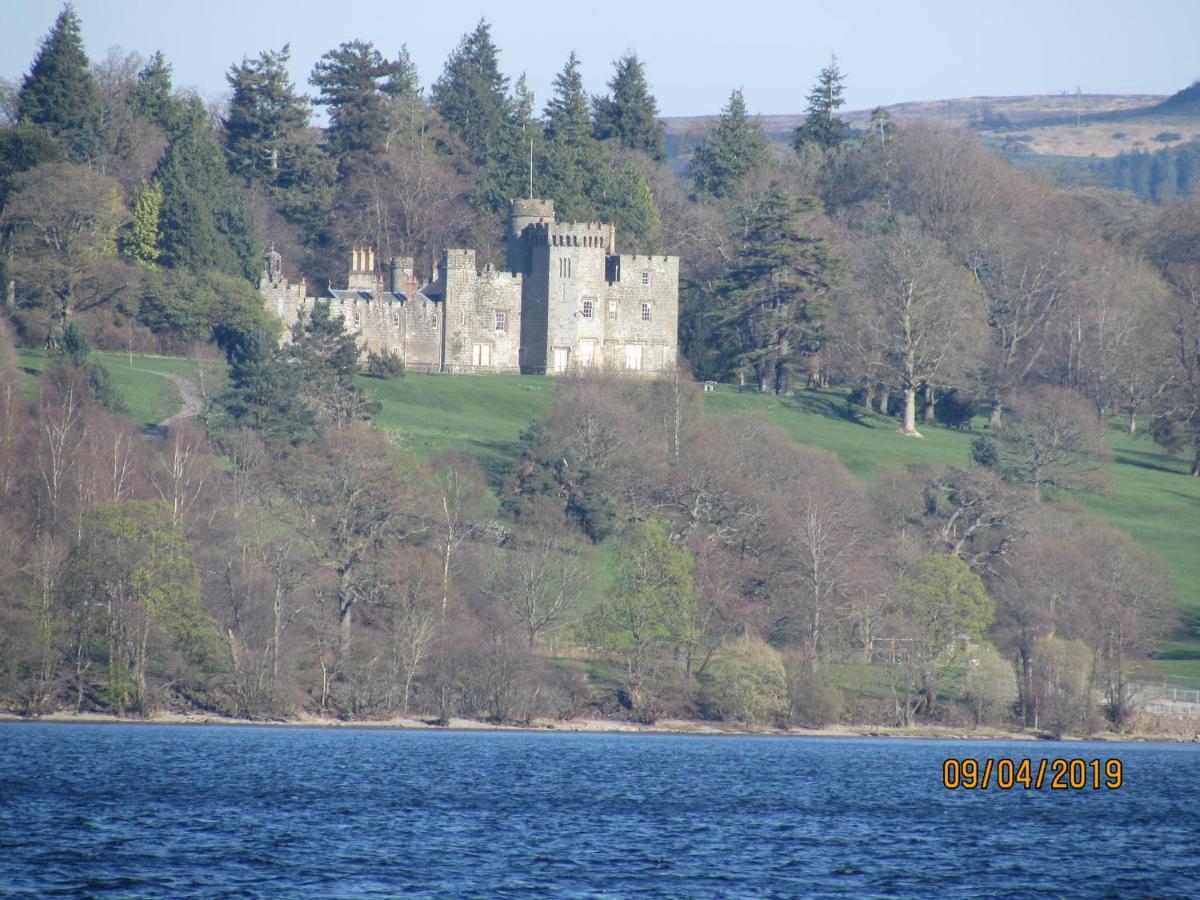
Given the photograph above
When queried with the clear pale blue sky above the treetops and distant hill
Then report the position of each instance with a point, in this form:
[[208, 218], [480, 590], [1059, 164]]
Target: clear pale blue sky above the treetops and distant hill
[[695, 53]]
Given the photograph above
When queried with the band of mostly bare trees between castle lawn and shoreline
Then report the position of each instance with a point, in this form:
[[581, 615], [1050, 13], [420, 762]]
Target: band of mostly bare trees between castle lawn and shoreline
[[645, 561]]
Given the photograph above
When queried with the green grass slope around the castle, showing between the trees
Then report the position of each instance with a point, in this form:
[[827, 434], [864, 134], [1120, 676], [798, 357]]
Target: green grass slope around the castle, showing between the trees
[[1154, 501]]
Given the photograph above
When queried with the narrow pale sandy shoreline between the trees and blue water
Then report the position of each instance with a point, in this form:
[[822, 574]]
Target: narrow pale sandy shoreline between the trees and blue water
[[599, 727]]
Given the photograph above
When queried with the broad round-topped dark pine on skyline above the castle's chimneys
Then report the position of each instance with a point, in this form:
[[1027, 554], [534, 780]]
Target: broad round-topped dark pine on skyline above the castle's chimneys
[[355, 83]]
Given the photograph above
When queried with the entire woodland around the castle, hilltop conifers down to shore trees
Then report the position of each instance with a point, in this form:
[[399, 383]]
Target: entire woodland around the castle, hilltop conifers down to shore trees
[[643, 560]]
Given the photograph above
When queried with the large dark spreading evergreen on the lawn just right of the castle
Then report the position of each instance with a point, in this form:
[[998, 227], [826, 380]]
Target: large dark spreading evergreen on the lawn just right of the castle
[[775, 301]]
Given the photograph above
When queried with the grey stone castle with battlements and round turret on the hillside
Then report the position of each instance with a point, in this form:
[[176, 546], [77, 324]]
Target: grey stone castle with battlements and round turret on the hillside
[[566, 301]]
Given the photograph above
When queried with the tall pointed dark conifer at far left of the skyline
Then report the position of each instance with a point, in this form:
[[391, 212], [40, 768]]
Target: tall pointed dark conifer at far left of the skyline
[[59, 95]]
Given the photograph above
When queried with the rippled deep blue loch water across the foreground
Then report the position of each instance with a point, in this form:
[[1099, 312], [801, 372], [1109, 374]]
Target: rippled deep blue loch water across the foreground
[[147, 811]]
